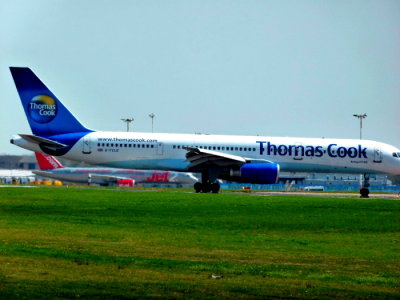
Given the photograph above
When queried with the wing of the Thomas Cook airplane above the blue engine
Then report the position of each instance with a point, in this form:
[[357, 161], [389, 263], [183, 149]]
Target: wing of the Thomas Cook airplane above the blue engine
[[200, 158]]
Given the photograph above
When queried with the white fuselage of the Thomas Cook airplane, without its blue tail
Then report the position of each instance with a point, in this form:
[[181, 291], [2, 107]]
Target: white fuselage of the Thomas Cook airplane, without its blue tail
[[163, 151]]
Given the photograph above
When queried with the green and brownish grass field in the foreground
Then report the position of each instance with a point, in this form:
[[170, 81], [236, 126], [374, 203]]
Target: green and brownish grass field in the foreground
[[99, 243]]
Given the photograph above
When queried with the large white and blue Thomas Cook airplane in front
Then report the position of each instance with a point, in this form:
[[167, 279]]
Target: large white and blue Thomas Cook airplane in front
[[249, 159]]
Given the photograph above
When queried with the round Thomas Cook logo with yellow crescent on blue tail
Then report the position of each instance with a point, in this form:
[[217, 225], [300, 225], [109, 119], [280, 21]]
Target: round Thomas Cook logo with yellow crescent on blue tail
[[42, 108]]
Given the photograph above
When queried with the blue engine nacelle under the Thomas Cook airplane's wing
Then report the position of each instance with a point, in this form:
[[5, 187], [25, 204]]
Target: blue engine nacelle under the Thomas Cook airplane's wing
[[264, 173]]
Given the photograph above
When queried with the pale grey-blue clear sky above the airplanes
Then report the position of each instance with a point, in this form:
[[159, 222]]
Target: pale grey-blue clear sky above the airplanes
[[271, 68]]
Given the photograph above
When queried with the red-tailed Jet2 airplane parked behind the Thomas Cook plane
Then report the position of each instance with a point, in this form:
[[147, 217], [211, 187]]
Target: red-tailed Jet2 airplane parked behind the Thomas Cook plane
[[50, 167]]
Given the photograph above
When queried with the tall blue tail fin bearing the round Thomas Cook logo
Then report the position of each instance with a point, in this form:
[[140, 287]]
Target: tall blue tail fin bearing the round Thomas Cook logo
[[46, 114]]
